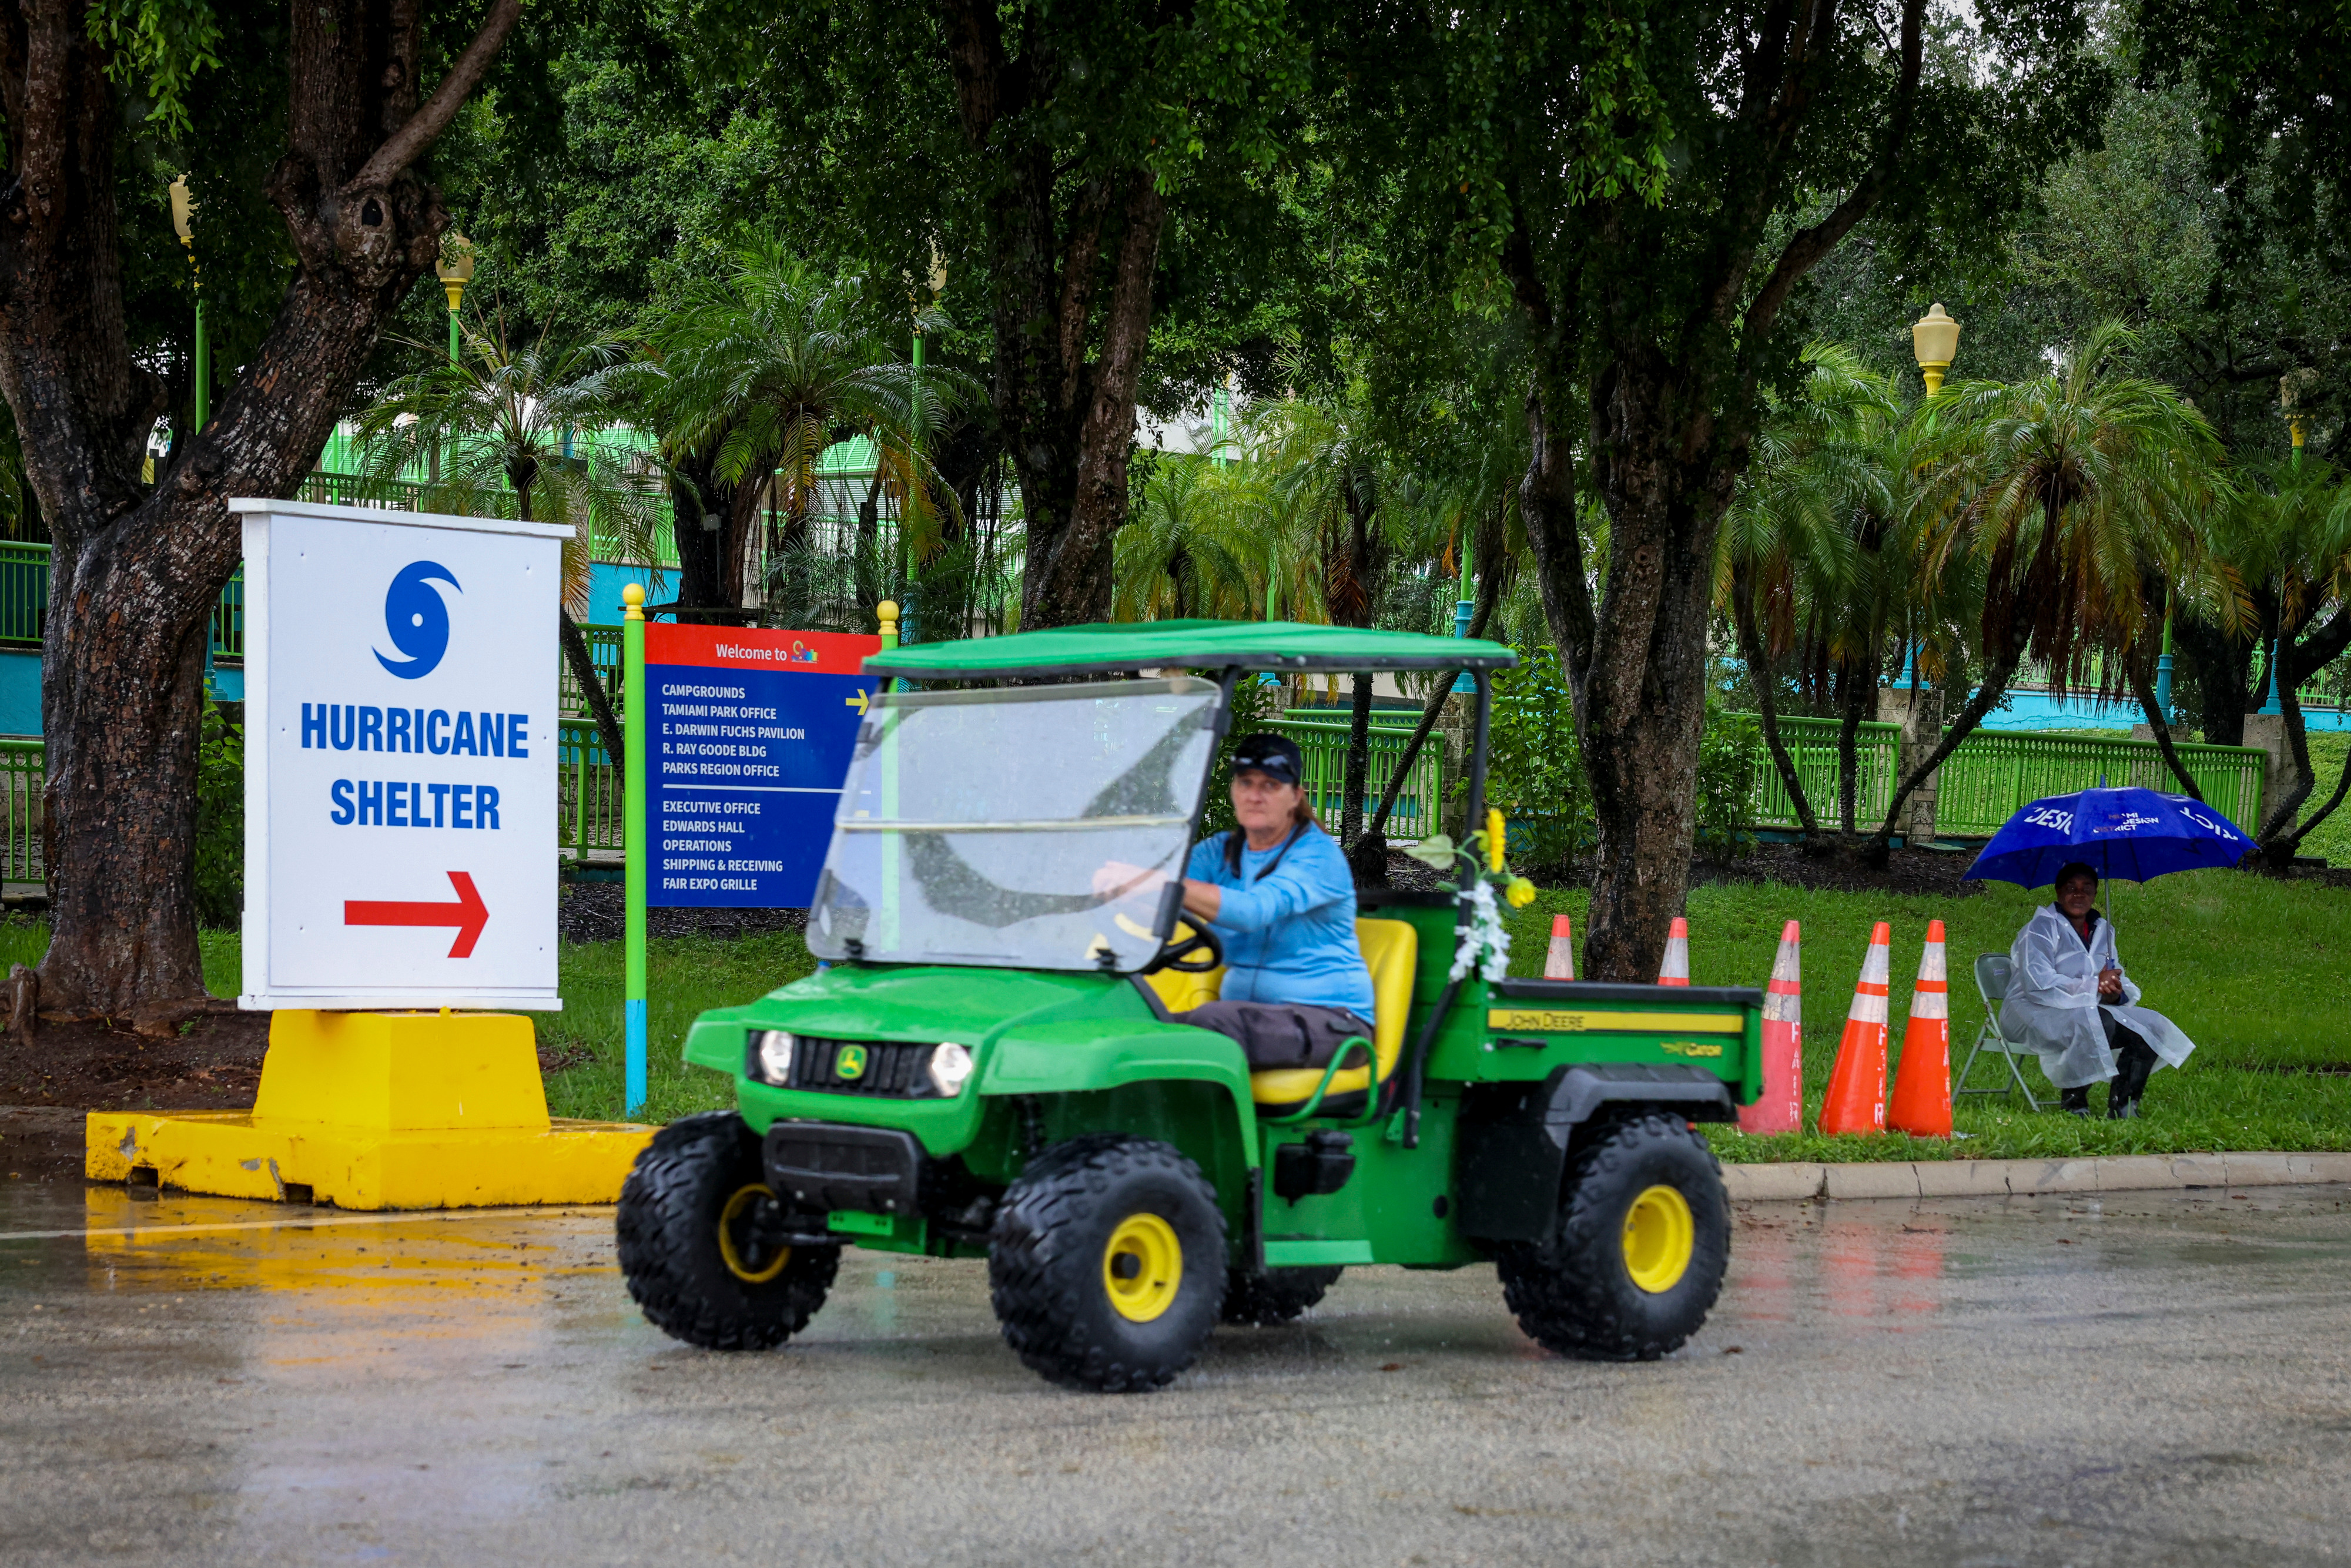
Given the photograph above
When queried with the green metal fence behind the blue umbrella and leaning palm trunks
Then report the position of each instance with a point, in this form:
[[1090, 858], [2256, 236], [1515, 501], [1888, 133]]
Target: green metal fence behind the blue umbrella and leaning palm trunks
[[1995, 772]]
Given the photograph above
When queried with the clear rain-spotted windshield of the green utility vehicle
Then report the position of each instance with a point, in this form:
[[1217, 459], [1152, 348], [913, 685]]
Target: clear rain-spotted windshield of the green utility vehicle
[[974, 824]]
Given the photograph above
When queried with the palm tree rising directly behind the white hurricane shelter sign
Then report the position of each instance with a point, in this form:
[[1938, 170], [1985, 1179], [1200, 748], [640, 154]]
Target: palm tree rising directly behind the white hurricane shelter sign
[[530, 431]]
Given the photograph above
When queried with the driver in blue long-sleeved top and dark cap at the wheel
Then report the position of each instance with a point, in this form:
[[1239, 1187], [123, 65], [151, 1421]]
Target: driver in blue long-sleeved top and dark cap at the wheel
[[1282, 902]]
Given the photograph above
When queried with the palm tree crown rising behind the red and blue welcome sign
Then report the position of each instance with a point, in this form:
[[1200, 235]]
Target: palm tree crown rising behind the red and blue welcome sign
[[768, 368]]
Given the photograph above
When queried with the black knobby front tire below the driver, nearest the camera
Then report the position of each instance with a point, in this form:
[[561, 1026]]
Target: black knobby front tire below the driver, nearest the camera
[[1052, 1245]]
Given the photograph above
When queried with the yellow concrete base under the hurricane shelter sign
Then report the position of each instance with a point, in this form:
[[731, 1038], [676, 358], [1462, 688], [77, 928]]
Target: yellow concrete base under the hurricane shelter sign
[[382, 1111]]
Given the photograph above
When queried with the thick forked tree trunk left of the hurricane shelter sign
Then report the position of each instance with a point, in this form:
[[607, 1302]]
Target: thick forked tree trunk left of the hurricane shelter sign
[[135, 572]]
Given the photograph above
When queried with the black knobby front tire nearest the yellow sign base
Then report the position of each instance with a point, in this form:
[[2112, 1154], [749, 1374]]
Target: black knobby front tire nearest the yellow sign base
[[671, 1252]]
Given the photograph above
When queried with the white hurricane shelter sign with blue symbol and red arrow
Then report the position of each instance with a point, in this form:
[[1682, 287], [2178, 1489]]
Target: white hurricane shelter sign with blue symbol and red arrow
[[401, 758]]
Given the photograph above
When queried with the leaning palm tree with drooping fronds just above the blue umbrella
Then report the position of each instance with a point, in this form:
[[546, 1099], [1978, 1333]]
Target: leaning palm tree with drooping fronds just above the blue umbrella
[[2063, 490]]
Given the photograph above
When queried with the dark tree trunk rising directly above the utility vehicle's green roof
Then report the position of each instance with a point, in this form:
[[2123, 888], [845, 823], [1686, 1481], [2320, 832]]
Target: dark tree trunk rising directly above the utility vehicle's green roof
[[1071, 307]]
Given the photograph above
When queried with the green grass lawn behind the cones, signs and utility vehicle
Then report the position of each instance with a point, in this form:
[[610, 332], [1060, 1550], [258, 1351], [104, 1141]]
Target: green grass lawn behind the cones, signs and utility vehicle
[[2249, 967]]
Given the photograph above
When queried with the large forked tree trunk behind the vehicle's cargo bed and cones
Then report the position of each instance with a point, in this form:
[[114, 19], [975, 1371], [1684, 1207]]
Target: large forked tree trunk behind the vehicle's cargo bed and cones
[[1673, 422]]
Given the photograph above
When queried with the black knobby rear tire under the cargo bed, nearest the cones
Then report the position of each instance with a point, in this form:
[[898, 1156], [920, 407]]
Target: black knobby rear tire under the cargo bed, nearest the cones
[[1574, 1292]]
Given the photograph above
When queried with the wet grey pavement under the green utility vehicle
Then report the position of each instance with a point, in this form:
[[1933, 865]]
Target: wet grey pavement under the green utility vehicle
[[2155, 1379]]
